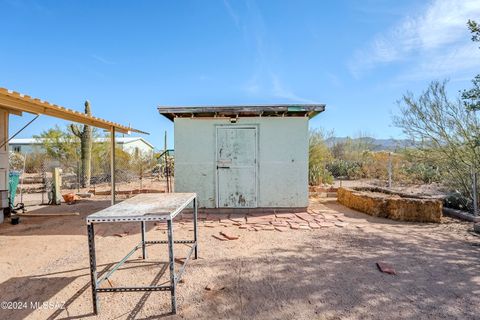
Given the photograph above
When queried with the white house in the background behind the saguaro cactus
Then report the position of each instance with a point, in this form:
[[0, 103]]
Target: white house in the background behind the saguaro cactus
[[127, 144]]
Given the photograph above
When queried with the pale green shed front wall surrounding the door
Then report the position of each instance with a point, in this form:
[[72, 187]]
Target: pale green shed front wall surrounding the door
[[282, 172]]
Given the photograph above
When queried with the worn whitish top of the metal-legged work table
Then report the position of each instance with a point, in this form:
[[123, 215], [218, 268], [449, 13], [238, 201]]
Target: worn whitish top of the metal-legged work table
[[144, 207]]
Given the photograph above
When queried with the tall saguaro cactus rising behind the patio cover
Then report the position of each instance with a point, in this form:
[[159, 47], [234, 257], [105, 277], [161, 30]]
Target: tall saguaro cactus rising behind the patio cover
[[85, 136]]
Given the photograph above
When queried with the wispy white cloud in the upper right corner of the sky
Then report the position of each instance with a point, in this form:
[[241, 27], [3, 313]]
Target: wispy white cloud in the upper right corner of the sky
[[434, 41]]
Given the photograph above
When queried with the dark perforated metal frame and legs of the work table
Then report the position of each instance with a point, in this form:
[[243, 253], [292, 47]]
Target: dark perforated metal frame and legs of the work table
[[174, 277]]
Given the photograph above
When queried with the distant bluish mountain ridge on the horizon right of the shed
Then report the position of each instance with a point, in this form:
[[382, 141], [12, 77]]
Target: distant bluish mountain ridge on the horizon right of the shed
[[372, 143]]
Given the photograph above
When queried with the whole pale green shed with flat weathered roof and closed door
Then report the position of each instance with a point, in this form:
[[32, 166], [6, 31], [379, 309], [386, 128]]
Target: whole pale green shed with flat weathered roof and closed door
[[243, 156]]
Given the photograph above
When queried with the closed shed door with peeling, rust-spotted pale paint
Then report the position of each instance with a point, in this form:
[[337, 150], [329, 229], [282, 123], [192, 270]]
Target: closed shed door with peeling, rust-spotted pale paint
[[236, 167]]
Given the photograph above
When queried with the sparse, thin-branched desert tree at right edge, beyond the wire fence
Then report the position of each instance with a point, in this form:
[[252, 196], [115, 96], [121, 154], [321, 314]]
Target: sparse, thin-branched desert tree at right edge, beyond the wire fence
[[446, 133]]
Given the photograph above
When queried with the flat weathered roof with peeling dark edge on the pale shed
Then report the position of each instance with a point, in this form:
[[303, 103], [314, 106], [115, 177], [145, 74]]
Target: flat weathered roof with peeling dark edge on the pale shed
[[282, 110]]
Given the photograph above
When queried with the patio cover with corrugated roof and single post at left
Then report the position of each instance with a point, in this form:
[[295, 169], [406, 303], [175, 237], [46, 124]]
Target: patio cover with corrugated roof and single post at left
[[16, 103]]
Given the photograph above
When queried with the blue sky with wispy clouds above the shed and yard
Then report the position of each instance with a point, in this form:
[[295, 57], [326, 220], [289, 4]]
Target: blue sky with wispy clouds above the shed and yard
[[357, 57]]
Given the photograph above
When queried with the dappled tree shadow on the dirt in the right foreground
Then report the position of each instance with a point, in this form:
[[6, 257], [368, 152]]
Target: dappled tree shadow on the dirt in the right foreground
[[435, 279]]
